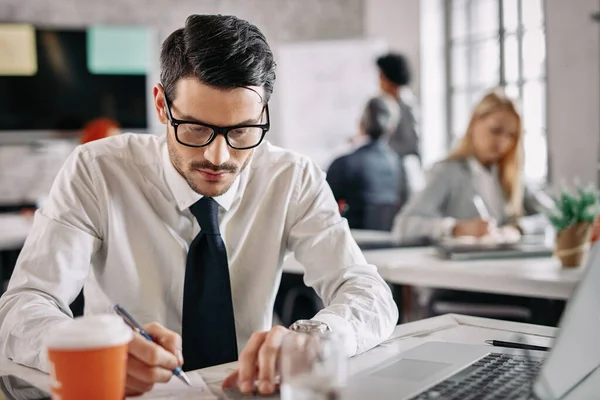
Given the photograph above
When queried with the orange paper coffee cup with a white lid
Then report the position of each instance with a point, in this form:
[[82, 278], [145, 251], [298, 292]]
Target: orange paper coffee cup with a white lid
[[88, 358]]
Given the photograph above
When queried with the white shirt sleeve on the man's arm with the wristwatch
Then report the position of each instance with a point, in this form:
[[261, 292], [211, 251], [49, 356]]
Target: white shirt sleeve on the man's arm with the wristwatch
[[359, 303]]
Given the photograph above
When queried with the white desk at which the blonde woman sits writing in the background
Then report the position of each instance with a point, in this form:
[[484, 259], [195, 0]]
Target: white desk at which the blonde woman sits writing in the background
[[530, 277]]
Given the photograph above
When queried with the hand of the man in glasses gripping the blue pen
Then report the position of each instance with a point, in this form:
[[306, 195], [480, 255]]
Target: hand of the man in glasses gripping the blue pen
[[148, 363]]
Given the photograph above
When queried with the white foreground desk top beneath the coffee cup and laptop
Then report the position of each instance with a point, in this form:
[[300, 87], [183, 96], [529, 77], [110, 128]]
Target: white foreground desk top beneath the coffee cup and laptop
[[449, 328]]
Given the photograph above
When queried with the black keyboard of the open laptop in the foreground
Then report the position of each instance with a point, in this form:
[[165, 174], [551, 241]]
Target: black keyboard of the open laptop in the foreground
[[494, 377]]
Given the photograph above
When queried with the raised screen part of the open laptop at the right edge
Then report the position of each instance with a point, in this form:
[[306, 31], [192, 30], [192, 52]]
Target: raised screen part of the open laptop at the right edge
[[576, 351]]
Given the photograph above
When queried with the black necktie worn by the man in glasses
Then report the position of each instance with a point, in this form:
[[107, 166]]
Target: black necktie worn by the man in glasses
[[208, 329]]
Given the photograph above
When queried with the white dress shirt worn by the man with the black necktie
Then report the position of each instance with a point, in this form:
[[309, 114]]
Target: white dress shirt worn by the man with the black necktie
[[118, 219]]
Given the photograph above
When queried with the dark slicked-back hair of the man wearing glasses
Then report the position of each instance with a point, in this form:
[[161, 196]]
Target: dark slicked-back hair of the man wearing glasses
[[219, 50]]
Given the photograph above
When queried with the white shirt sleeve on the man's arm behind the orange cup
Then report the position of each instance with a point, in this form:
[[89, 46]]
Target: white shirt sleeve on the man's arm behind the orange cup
[[52, 265]]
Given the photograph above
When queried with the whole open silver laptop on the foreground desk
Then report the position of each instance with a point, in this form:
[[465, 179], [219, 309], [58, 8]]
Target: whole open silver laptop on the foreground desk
[[441, 370]]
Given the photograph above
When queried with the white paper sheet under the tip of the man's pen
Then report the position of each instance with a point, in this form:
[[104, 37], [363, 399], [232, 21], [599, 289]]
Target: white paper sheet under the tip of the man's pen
[[177, 390]]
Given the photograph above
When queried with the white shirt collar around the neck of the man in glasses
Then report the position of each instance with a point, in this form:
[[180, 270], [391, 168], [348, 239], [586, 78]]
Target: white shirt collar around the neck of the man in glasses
[[183, 193]]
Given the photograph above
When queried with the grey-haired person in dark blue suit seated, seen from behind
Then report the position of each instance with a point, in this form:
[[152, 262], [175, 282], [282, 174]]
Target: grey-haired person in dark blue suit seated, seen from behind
[[370, 182]]
